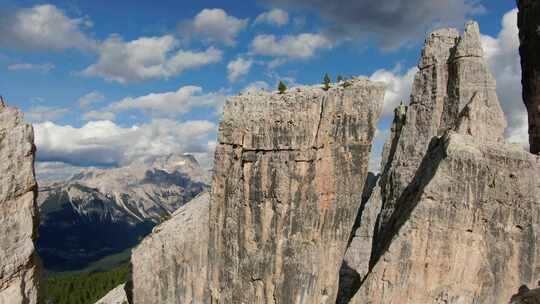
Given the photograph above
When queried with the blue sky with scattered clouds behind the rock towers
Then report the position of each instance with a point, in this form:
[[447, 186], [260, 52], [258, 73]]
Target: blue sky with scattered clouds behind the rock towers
[[107, 82]]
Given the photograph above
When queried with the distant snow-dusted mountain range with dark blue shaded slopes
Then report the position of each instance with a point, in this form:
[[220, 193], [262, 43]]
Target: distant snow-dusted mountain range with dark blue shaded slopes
[[99, 212]]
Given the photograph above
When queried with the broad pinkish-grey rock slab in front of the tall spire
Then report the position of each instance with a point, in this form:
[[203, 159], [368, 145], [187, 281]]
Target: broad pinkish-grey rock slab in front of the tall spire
[[465, 230]]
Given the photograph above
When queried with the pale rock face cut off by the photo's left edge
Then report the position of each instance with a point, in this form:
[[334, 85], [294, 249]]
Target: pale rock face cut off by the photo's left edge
[[19, 264]]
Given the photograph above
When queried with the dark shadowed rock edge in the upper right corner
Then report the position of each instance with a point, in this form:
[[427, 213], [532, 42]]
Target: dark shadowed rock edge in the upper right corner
[[529, 36]]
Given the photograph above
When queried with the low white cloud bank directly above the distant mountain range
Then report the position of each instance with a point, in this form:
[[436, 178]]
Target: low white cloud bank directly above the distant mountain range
[[104, 143]]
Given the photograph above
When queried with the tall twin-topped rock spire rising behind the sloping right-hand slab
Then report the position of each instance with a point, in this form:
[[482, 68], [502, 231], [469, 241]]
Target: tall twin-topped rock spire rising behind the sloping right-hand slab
[[453, 90]]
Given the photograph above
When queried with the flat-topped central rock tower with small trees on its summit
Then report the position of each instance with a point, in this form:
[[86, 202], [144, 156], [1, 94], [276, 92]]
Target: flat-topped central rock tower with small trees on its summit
[[289, 173]]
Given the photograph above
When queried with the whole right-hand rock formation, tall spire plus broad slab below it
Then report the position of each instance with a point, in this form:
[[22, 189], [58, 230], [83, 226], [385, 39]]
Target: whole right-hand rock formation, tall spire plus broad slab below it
[[457, 207]]
